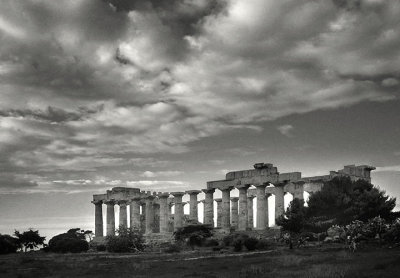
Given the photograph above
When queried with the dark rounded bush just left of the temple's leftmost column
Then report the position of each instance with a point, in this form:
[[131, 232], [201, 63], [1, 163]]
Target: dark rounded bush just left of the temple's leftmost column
[[72, 241]]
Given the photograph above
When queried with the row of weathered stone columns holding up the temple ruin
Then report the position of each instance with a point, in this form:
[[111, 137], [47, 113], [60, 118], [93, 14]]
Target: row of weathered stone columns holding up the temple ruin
[[241, 210]]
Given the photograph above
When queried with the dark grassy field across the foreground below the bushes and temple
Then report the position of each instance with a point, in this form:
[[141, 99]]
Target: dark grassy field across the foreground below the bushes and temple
[[312, 262]]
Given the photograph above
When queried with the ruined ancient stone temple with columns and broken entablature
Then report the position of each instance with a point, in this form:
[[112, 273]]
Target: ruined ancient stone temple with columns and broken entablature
[[151, 211]]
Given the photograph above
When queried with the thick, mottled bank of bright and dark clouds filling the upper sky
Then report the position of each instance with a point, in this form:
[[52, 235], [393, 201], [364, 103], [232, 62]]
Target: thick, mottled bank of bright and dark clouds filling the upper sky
[[90, 87]]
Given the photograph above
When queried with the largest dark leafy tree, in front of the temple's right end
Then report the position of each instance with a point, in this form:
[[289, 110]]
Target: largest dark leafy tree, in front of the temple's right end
[[344, 201]]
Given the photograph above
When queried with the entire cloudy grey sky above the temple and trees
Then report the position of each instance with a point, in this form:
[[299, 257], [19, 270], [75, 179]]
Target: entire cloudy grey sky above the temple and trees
[[165, 95]]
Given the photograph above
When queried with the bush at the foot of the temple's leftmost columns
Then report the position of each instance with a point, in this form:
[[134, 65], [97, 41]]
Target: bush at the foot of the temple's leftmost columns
[[126, 240]]
